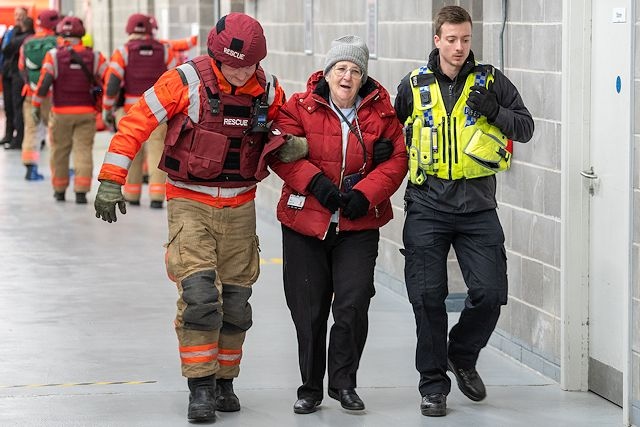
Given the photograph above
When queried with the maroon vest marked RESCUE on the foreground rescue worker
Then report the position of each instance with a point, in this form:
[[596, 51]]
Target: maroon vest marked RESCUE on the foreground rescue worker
[[219, 150]]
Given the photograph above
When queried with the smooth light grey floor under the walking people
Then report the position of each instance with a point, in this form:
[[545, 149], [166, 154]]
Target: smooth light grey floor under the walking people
[[87, 337]]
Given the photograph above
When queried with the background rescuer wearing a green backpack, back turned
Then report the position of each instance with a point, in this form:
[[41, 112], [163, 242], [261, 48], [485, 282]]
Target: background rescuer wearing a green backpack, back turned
[[32, 54]]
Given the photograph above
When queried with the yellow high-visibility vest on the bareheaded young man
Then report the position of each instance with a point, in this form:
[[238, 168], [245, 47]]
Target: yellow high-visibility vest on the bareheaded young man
[[452, 146]]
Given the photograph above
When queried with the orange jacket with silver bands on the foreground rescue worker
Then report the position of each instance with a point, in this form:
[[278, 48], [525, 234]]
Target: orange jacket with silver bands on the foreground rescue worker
[[169, 96]]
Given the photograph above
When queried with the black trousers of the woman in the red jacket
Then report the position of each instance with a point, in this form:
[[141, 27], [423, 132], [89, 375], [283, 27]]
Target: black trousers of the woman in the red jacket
[[339, 268]]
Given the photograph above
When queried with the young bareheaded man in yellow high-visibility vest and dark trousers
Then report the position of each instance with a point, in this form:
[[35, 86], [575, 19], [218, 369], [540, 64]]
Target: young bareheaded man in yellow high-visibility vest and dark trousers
[[460, 118]]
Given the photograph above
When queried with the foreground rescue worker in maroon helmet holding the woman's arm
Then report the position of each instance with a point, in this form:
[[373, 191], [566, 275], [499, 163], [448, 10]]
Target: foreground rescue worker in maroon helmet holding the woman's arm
[[216, 108]]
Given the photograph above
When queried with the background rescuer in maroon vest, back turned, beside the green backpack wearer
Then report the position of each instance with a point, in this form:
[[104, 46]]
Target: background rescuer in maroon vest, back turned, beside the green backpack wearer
[[76, 73]]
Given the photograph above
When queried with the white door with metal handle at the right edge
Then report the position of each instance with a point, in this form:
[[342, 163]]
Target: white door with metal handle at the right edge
[[609, 182]]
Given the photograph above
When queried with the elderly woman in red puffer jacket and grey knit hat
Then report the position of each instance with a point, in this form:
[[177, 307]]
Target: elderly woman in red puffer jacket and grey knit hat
[[332, 205]]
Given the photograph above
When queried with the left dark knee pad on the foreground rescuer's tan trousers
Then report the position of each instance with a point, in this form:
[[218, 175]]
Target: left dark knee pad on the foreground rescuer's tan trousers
[[203, 311]]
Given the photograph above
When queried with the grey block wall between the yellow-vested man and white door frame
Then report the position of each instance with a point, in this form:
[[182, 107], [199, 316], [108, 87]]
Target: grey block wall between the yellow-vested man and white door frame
[[529, 194]]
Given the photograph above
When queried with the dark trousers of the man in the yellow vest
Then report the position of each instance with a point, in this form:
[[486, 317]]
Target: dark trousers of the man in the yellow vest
[[478, 241]]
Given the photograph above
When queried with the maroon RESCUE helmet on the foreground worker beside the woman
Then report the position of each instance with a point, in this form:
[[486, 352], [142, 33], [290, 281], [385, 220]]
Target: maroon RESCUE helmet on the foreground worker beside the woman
[[237, 40]]
